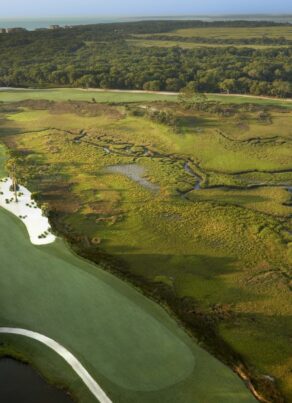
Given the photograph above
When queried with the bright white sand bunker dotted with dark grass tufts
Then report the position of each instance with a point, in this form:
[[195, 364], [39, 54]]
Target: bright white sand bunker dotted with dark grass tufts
[[27, 211]]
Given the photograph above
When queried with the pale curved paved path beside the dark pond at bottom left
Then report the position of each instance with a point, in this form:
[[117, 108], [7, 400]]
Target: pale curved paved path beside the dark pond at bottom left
[[94, 388]]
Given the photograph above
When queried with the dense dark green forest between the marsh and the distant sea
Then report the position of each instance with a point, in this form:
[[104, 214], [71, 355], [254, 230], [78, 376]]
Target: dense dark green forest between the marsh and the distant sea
[[100, 56]]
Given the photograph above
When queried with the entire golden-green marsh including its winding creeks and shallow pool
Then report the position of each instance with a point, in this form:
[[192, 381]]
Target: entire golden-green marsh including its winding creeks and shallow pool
[[219, 257]]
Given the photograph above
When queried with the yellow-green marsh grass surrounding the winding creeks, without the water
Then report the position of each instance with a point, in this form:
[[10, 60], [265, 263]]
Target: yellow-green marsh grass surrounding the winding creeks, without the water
[[226, 250]]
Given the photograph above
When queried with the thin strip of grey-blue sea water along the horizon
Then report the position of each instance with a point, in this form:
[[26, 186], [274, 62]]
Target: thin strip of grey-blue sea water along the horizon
[[33, 23]]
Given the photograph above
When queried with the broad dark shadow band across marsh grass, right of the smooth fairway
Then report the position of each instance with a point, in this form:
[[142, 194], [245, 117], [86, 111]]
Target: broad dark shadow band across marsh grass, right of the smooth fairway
[[193, 276]]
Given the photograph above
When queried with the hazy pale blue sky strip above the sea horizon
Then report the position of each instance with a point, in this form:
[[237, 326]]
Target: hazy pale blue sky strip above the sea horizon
[[47, 8]]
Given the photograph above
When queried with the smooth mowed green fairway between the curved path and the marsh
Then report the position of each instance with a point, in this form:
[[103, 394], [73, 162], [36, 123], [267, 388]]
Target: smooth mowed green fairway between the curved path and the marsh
[[132, 348]]
